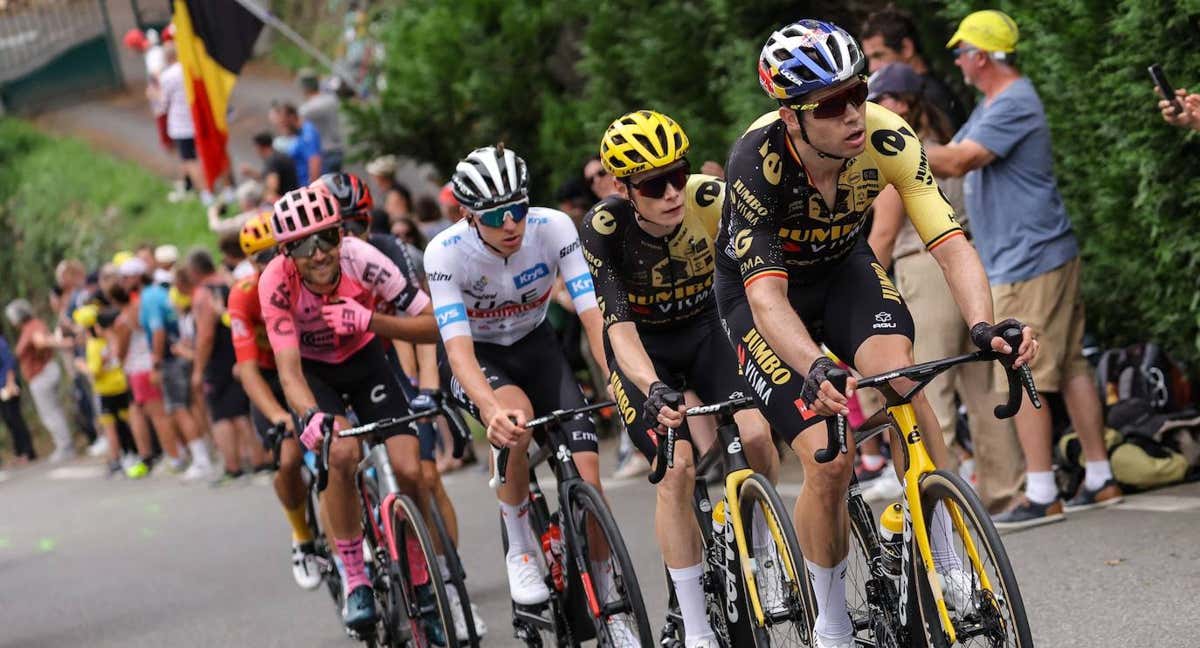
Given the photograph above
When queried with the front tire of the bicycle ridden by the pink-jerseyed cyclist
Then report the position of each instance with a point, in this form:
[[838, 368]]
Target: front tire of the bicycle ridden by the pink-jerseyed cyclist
[[406, 520]]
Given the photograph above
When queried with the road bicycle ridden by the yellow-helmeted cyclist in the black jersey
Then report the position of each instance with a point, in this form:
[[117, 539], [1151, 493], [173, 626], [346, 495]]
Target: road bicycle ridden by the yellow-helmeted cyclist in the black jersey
[[753, 599]]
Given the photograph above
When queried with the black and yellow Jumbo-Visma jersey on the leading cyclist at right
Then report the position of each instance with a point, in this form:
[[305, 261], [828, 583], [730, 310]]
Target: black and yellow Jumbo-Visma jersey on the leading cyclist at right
[[777, 224]]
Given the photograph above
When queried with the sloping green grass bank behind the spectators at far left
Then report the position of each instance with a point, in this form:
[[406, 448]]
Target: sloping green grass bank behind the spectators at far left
[[61, 199]]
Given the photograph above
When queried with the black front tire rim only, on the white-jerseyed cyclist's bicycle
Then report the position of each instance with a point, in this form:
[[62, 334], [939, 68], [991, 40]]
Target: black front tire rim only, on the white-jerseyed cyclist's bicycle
[[587, 501]]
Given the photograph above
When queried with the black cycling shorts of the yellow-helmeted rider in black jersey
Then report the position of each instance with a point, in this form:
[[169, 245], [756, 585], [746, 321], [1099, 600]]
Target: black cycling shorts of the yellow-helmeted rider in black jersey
[[695, 357]]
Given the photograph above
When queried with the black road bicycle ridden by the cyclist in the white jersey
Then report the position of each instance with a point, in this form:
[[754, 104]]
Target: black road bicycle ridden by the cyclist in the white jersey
[[587, 568]]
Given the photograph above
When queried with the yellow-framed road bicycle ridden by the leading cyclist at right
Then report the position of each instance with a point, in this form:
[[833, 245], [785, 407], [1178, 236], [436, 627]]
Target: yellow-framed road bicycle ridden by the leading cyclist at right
[[896, 593]]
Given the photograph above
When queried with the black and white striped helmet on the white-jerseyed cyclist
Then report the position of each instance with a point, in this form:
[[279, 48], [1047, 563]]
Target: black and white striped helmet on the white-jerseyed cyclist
[[490, 177]]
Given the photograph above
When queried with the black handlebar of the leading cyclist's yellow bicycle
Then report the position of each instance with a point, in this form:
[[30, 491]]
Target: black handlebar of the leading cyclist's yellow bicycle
[[1019, 380]]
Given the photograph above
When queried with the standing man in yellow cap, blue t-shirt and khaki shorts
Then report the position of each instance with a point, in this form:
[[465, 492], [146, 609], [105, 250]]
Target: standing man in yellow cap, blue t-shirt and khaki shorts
[[1030, 254]]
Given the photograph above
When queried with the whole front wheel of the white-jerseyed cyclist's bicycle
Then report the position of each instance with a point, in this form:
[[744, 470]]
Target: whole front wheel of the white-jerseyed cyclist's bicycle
[[610, 584]]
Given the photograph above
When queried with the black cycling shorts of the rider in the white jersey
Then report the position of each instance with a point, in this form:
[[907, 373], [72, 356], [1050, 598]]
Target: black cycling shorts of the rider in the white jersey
[[537, 365]]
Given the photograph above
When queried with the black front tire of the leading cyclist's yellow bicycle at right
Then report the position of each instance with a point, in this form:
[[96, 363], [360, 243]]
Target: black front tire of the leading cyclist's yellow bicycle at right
[[939, 487]]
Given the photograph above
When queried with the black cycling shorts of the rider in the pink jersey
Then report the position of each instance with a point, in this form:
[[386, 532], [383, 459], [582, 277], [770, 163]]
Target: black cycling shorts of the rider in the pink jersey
[[364, 382]]
